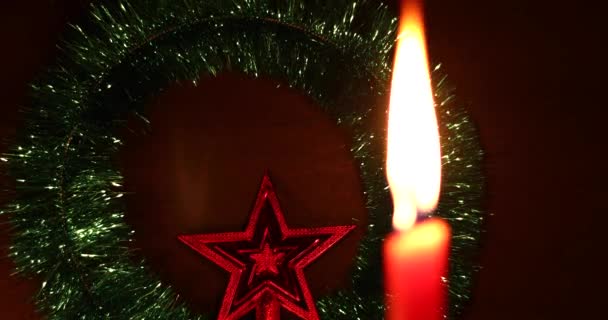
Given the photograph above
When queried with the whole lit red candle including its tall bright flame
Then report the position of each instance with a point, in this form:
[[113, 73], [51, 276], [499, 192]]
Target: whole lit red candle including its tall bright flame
[[415, 255]]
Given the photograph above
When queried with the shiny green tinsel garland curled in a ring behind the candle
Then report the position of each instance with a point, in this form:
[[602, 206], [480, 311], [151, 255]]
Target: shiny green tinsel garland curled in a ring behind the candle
[[68, 215]]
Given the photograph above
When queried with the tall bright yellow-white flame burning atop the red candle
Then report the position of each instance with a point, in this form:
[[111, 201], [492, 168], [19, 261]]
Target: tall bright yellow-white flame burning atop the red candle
[[413, 156]]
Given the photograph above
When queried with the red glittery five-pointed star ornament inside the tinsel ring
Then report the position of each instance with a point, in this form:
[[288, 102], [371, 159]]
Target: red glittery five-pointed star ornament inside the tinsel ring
[[266, 261]]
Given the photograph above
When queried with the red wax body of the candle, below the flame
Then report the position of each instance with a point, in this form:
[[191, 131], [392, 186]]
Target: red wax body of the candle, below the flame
[[415, 263]]
